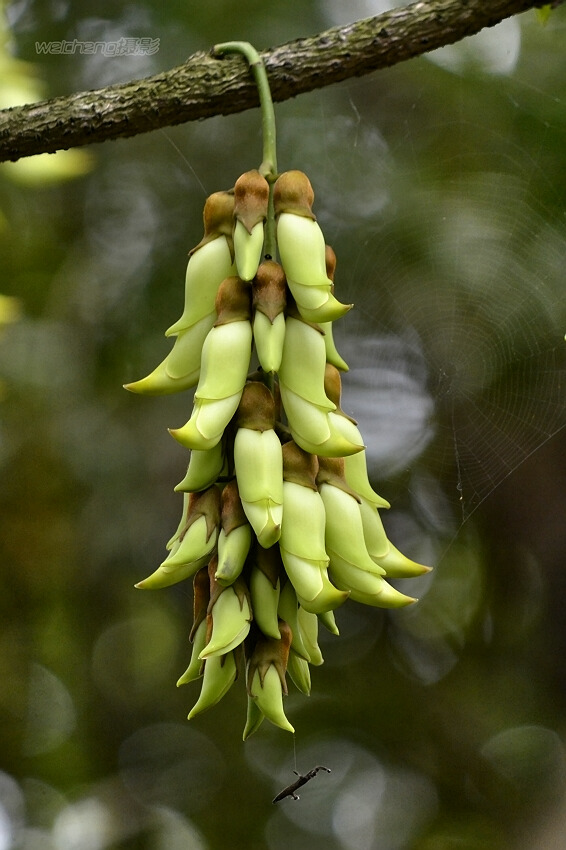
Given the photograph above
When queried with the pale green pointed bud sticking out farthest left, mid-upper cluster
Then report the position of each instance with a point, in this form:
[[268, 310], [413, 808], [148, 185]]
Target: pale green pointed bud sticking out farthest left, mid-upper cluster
[[181, 368]]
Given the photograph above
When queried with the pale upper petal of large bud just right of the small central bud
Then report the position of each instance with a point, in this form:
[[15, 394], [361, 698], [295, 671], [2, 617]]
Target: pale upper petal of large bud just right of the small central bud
[[303, 363]]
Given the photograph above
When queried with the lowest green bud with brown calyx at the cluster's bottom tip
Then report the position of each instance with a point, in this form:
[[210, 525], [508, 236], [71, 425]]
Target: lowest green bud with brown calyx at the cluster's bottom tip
[[266, 676]]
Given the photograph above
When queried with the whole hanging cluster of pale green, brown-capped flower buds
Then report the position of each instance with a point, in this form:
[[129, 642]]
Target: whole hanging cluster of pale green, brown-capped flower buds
[[280, 524]]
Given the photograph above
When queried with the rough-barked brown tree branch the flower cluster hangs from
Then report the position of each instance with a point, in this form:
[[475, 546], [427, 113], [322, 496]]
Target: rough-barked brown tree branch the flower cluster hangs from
[[205, 86]]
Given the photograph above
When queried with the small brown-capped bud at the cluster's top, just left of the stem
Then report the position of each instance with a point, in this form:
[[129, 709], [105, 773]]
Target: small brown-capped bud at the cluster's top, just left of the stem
[[251, 197]]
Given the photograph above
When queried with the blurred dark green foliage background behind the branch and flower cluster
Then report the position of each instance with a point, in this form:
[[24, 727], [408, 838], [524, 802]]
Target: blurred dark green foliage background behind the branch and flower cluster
[[441, 185]]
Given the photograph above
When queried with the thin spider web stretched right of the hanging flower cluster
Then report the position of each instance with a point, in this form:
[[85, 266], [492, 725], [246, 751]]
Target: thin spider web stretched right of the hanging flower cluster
[[456, 344]]
